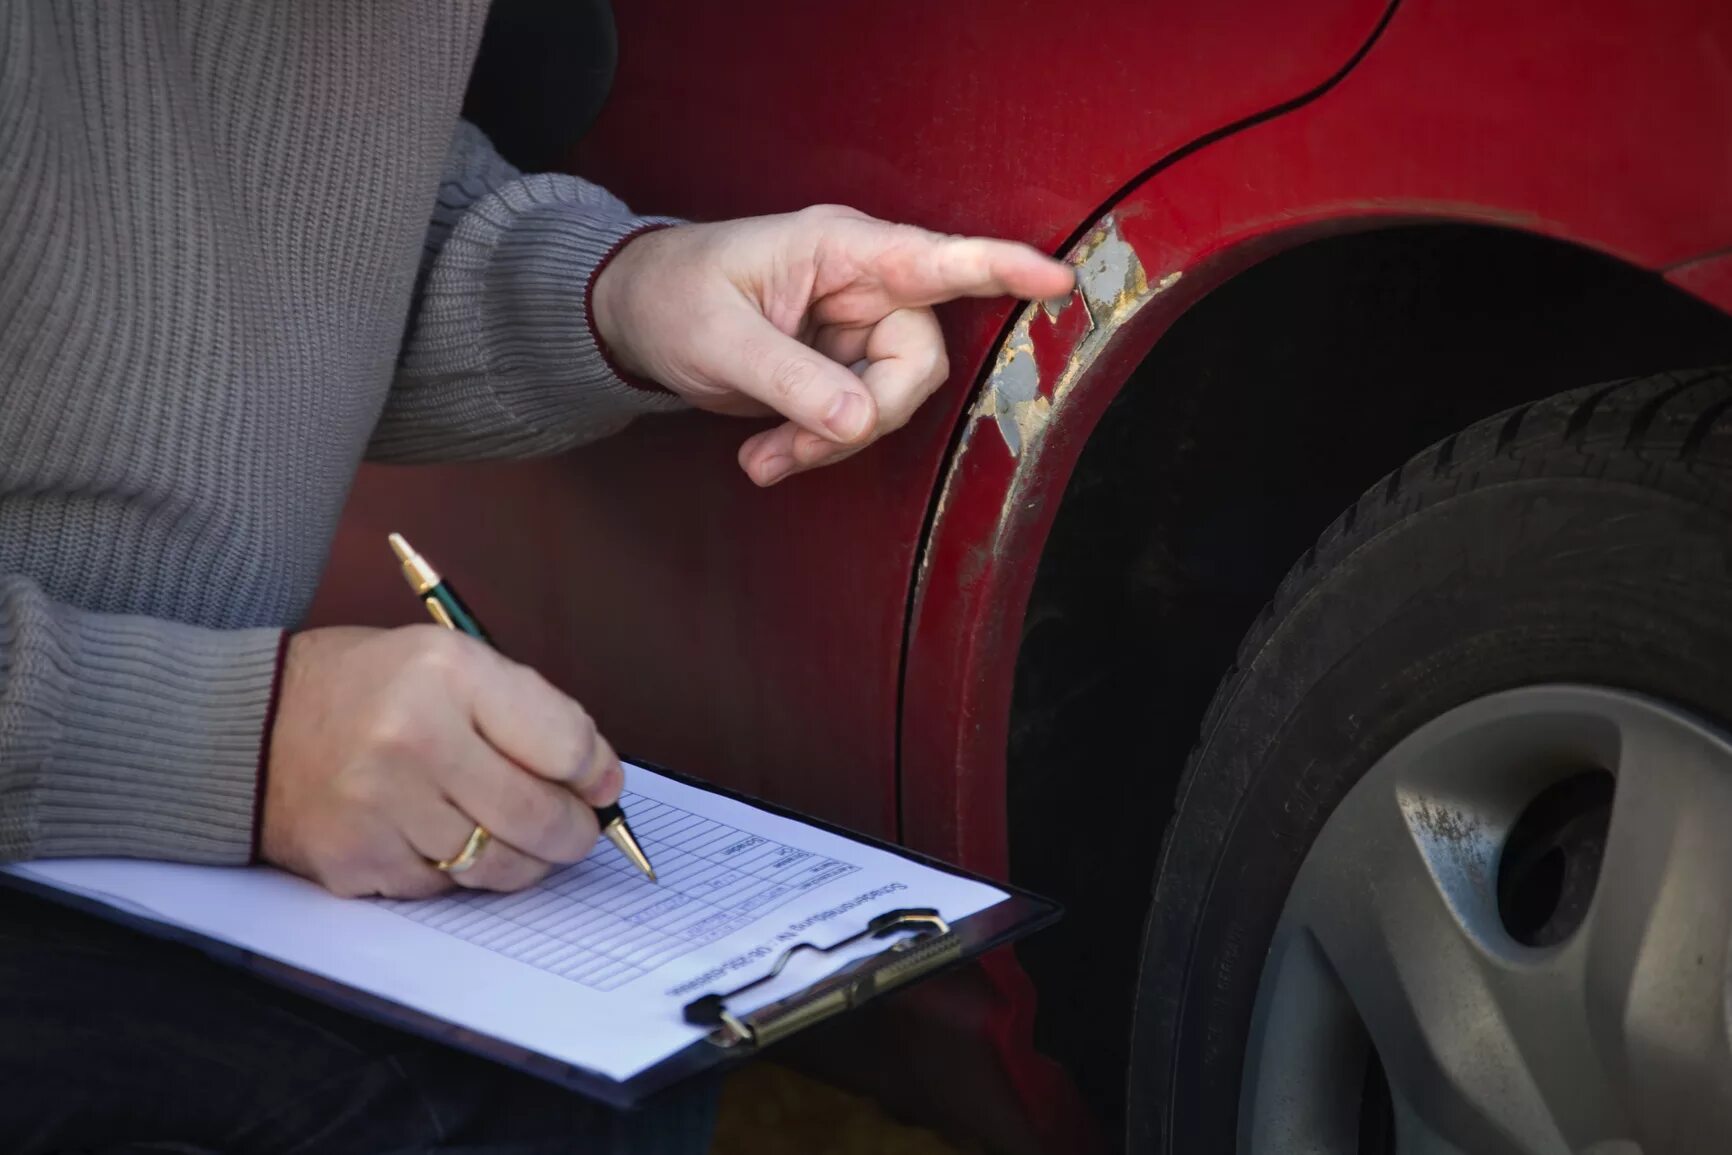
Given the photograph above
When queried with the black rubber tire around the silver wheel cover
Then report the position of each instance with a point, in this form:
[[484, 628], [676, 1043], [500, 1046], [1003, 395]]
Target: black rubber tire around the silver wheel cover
[[1584, 539]]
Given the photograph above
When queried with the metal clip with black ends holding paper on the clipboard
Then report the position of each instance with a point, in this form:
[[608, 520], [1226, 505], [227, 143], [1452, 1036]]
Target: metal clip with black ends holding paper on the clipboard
[[933, 946]]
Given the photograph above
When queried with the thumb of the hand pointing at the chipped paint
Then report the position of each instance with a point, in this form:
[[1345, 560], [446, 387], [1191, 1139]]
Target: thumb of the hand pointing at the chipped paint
[[798, 382]]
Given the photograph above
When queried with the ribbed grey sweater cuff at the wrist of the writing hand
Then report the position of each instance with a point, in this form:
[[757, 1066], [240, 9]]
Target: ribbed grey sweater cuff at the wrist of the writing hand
[[157, 739]]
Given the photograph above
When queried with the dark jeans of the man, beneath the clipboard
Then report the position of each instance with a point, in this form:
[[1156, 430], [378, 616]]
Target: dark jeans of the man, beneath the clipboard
[[117, 1043]]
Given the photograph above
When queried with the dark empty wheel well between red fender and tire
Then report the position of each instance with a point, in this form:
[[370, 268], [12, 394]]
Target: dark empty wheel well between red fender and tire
[[1333, 363]]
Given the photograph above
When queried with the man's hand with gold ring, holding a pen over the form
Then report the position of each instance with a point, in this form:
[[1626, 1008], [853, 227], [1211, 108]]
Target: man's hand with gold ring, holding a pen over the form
[[391, 747]]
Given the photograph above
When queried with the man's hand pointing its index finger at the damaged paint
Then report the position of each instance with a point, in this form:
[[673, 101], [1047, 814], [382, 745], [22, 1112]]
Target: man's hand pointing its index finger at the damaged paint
[[820, 316]]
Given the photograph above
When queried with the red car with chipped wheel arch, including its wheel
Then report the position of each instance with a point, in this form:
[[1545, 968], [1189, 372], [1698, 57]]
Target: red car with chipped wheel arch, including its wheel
[[1331, 603]]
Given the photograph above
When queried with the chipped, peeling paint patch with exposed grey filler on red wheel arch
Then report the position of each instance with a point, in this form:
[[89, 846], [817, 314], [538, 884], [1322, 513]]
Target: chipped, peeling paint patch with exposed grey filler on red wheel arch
[[1113, 287]]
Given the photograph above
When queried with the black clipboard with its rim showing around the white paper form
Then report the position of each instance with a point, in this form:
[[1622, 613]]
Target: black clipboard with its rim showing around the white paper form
[[934, 946]]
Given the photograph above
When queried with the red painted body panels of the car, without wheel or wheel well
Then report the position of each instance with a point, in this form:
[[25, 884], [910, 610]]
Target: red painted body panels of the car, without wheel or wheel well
[[759, 636]]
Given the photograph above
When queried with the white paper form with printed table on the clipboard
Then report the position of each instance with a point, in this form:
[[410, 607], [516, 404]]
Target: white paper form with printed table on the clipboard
[[591, 967]]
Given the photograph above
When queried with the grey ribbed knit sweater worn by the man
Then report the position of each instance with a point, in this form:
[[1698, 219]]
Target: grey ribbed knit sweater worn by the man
[[243, 245]]
